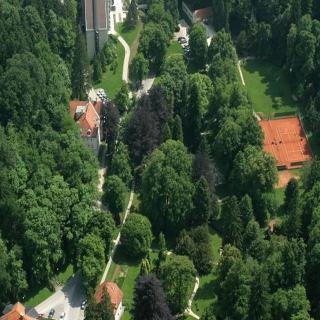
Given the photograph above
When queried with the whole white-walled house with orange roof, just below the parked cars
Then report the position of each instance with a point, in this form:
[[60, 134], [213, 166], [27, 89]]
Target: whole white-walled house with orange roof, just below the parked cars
[[87, 116]]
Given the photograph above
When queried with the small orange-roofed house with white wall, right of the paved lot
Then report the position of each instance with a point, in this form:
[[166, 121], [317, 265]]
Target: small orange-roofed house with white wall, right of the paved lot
[[115, 296]]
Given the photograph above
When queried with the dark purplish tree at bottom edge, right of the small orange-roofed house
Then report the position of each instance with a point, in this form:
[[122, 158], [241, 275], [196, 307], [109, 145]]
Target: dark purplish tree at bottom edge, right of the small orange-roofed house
[[149, 300]]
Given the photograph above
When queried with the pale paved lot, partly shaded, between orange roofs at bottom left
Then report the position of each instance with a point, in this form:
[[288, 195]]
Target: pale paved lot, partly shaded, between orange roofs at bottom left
[[67, 300]]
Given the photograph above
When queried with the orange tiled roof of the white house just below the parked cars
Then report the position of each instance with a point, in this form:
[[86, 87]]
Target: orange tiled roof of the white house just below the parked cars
[[87, 120]]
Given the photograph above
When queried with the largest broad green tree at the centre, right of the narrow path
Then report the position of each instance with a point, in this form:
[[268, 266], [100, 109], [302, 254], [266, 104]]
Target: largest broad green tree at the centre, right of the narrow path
[[166, 187]]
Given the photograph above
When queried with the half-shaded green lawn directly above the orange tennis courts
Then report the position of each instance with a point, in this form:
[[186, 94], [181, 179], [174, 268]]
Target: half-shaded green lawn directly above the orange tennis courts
[[267, 84]]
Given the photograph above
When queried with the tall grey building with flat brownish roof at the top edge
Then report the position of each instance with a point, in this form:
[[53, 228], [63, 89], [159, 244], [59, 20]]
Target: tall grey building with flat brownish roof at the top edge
[[96, 24]]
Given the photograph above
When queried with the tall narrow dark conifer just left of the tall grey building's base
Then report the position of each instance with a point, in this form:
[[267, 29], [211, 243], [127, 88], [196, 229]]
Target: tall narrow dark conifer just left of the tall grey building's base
[[80, 75]]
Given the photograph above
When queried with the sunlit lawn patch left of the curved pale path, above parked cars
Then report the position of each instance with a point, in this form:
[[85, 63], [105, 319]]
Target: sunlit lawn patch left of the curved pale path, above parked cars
[[111, 80]]
